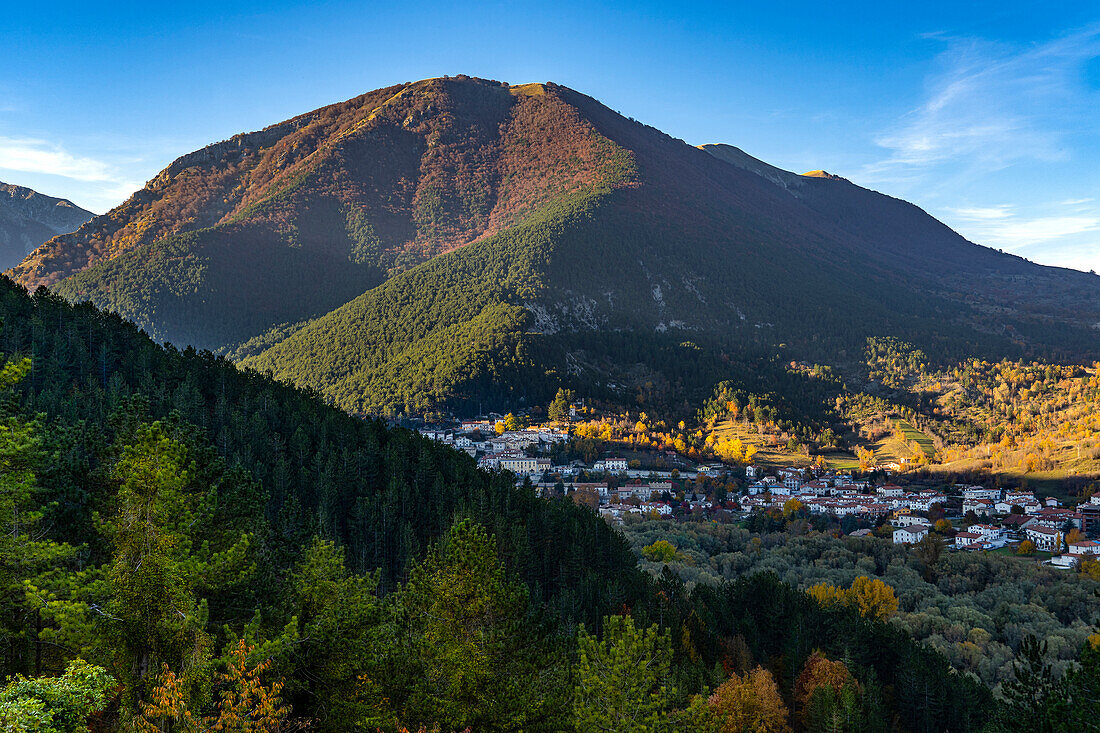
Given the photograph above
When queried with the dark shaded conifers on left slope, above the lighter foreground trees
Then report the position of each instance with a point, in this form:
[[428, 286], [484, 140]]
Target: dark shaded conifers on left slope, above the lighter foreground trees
[[321, 471]]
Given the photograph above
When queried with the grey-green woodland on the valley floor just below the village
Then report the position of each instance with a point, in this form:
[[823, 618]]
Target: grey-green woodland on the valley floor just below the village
[[974, 608]]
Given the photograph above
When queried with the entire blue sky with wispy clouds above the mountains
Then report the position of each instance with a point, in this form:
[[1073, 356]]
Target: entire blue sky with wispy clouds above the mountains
[[986, 115]]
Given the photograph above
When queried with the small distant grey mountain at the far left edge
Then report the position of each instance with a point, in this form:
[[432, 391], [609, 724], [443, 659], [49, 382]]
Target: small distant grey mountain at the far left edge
[[29, 218]]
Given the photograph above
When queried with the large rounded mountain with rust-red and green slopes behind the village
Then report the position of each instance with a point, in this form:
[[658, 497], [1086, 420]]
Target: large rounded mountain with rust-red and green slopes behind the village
[[456, 240]]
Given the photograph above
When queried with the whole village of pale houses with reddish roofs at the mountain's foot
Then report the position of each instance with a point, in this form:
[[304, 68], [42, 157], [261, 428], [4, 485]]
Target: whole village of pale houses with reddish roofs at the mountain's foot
[[963, 519]]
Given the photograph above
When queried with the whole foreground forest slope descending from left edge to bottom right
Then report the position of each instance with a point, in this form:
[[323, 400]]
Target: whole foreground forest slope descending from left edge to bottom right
[[189, 546]]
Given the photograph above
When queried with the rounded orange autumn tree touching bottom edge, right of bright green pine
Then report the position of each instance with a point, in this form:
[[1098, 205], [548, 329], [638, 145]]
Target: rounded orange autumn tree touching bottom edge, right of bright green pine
[[752, 703]]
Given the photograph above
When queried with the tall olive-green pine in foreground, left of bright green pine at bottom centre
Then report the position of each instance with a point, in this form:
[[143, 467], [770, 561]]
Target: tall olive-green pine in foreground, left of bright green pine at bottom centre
[[472, 652]]
